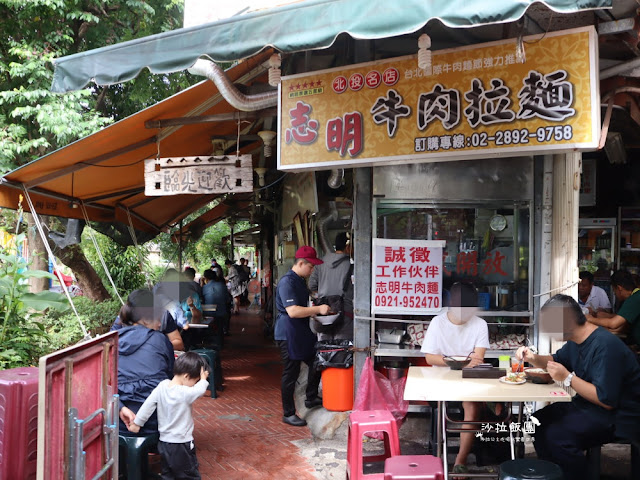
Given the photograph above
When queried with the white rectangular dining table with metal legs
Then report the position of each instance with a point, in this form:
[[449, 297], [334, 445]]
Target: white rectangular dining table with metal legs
[[442, 384]]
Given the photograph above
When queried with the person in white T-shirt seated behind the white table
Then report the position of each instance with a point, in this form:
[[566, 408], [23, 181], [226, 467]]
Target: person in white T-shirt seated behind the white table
[[459, 332]]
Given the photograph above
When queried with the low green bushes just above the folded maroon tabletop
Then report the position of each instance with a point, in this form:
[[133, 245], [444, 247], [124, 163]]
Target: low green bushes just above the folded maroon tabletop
[[63, 328]]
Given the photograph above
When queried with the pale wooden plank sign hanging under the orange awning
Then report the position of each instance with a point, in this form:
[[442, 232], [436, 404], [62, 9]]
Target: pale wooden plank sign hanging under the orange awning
[[198, 175]]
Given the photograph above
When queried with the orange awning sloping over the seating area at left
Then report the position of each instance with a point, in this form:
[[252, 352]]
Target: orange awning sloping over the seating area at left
[[105, 170]]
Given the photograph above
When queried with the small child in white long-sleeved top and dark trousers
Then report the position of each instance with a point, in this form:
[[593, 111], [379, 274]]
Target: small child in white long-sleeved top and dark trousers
[[173, 399]]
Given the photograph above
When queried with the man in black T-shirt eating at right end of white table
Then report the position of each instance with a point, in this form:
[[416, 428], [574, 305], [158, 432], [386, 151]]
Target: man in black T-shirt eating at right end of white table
[[606, 378]]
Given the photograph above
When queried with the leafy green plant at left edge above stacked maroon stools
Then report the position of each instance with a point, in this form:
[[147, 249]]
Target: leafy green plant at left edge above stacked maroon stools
[[22, 333]]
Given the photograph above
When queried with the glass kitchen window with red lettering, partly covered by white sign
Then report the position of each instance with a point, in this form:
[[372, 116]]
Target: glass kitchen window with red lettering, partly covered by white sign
[[487, 245]]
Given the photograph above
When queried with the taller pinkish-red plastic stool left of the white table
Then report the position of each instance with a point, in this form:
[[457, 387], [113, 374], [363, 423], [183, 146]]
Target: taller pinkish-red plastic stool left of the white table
[[364, 422]]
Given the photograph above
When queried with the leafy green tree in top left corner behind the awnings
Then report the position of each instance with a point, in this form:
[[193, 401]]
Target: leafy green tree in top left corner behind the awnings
[[34, 121]]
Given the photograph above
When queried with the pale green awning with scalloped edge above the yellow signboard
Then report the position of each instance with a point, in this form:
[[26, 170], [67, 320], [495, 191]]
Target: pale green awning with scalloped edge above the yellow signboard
[[301, 26]]
